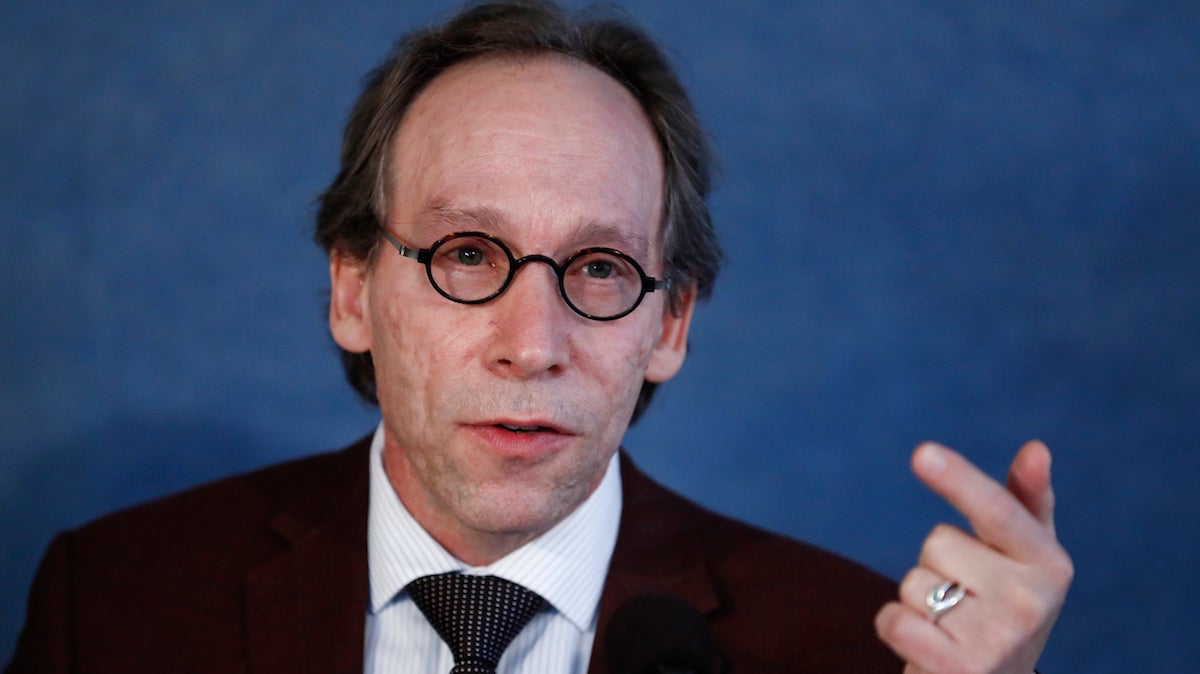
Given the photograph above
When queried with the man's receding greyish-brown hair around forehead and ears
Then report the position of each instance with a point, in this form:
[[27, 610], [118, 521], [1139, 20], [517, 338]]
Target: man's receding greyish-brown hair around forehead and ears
[[356, 203]]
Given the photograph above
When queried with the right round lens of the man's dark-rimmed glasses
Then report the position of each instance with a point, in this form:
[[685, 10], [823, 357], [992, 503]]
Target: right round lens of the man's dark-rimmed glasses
[[603, 284]]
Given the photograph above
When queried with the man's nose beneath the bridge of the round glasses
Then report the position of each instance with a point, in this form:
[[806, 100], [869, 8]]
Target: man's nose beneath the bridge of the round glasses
[[532, 326]]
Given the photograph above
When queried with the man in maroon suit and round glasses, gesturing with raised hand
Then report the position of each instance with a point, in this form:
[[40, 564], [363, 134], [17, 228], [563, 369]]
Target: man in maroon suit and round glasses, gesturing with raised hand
[[518, 239]]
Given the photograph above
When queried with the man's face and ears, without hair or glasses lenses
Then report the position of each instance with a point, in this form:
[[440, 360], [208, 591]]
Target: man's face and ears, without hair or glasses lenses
[[502, 418]]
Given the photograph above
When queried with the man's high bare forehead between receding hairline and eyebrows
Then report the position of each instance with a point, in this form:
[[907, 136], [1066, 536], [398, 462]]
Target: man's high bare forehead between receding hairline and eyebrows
[[545, 145]]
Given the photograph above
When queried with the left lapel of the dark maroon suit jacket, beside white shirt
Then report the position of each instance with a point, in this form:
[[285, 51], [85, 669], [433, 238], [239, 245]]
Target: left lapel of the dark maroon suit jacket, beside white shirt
[[307, 607]]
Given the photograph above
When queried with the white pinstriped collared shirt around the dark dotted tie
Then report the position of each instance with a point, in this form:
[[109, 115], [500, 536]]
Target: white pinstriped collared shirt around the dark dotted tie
[[566, 565]]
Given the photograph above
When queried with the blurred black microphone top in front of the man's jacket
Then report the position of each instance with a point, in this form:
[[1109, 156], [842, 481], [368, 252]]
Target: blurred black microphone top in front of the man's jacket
[[659, 635]]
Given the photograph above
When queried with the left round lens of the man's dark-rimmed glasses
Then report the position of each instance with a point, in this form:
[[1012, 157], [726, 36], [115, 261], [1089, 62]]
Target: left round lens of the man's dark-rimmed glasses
[[470, 268]]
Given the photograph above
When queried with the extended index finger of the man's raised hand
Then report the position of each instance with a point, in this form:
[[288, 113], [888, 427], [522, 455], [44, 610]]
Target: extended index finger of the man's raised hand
[[998, 516]]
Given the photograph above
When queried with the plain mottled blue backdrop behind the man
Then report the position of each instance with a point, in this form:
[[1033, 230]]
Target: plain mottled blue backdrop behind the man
[[967, 221]]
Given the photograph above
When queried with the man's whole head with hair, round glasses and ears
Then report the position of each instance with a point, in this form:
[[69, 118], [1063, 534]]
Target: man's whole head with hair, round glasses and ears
[[502, 416]]
